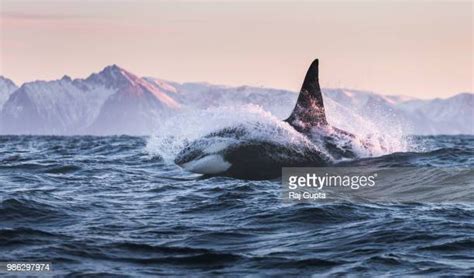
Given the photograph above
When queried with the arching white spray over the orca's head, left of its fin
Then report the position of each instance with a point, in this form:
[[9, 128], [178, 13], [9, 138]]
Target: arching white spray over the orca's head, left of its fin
[[190, 125]]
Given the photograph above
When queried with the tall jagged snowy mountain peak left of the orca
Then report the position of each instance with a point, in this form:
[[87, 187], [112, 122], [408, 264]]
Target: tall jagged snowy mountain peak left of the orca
[[113, 101]]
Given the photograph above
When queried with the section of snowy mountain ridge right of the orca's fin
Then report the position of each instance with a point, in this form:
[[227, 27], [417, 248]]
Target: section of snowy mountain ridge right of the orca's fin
[[452, 115]]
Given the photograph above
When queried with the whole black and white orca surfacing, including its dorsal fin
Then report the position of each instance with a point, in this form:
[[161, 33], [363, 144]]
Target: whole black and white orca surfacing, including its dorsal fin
[[236, 151]]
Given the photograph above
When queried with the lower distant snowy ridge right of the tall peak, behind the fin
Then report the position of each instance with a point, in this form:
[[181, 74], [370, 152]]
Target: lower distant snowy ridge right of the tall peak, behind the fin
[[349, 109]]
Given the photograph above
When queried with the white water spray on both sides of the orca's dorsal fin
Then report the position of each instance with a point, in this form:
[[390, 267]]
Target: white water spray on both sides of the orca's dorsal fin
[[383, 134]]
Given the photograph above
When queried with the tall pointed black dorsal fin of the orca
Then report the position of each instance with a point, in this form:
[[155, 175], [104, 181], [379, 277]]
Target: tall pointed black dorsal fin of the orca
[[309, 109]]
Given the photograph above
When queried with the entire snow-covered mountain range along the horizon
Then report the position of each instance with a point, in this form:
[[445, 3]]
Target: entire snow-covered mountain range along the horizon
[[115, 101]]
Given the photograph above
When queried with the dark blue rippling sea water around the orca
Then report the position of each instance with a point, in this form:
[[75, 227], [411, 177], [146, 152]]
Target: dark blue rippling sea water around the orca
[[104, 205]]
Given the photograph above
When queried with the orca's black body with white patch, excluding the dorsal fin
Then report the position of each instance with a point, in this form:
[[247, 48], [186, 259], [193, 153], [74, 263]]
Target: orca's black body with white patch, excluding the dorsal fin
[[234, 152]]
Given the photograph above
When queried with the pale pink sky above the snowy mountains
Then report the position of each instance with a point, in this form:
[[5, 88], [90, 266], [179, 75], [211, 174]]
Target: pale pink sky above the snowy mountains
[[417, 48]]
